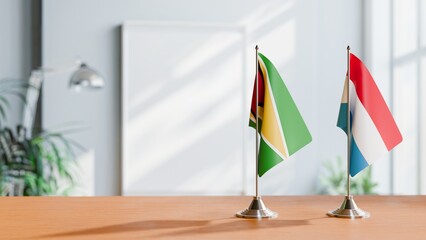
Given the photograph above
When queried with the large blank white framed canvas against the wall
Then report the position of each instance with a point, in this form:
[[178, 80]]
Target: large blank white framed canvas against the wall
[[183, 109]]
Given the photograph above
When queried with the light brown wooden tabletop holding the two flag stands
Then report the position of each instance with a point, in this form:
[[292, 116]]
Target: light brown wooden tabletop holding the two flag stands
[[301, 217]]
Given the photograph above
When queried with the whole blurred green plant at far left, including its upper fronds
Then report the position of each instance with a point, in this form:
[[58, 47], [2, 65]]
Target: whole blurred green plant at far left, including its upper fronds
[[33, 166]]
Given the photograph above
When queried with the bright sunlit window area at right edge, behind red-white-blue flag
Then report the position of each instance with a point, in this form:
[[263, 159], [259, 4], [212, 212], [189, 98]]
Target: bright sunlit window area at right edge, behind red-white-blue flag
[[394, 57]]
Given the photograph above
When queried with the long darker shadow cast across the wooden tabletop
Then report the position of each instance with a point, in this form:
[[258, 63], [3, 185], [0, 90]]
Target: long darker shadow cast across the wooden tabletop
[[196, 226]]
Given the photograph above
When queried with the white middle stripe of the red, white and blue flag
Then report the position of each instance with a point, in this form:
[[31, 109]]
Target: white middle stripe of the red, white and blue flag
[[364, 132]]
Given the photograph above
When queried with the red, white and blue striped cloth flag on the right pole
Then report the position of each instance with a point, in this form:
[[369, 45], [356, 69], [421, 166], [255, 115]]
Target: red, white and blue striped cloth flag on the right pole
[[374, 131]]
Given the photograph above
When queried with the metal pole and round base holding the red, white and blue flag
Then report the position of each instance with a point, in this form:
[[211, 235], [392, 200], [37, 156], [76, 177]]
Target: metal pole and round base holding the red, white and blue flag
[[348, 209]]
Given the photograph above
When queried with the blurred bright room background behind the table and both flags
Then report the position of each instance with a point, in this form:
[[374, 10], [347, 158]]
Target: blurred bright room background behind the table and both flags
[[172, 116]]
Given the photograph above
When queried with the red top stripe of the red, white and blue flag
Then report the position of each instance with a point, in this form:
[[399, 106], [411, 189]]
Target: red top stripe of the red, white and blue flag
[[370, 96]]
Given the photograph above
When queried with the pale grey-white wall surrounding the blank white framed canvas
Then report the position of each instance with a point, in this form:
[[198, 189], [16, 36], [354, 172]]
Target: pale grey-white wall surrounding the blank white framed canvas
[[305, 39]]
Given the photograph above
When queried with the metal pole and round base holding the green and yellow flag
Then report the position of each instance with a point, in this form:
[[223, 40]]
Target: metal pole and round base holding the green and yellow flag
[[257, 208]]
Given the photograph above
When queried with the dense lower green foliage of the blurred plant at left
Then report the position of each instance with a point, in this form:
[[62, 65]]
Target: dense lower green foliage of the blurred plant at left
[[46, 160]]
